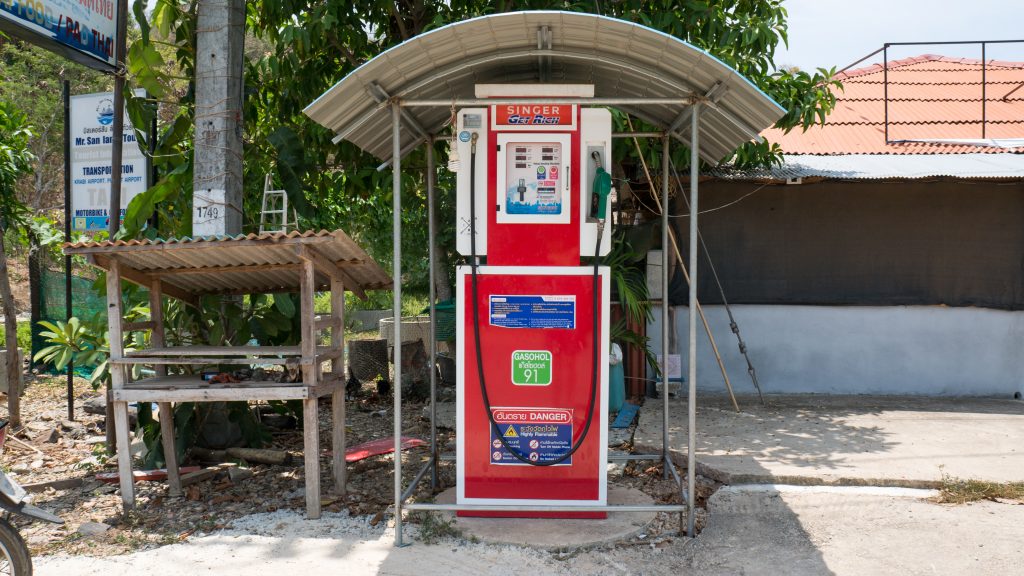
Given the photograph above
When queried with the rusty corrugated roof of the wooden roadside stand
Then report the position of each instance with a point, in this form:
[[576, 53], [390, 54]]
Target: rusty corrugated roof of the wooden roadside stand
[[242, 265]]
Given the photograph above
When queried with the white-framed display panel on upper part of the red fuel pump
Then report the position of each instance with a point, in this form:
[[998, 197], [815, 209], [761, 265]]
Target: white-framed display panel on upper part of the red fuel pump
[[534, 179]]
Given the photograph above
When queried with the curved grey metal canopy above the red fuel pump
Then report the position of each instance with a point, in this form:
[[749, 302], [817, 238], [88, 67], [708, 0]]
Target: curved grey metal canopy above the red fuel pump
[[622, 61]]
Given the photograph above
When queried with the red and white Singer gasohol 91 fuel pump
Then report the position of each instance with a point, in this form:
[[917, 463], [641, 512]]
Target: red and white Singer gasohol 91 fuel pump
[[533, 323]]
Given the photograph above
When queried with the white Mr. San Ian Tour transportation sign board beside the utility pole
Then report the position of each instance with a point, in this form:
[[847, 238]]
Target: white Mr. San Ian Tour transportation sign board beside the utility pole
[[92, 140]]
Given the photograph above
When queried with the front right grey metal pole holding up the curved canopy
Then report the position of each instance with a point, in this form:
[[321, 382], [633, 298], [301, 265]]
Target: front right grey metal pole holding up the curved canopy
[[693, 375]]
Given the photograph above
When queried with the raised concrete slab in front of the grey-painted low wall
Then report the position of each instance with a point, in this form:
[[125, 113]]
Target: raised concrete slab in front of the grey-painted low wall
[[846, 440]]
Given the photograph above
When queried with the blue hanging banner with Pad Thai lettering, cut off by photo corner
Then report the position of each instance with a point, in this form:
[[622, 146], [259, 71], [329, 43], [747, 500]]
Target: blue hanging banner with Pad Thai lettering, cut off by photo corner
[[82, 27]]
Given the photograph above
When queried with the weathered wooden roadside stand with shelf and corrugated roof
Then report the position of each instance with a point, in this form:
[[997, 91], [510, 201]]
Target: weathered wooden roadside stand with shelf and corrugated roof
[[188, 269]]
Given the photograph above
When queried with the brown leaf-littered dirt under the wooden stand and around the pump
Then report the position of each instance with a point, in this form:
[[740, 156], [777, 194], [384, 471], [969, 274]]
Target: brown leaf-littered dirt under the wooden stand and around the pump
[[68, 456]]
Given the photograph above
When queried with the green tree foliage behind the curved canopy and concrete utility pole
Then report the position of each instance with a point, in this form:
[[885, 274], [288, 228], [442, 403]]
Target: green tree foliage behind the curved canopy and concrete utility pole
[[296, 50]]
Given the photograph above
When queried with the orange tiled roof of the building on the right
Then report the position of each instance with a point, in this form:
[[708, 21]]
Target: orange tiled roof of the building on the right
[[930, 97]]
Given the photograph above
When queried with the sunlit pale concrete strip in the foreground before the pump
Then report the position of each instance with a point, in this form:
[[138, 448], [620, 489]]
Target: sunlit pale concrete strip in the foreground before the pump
[[791, 531]]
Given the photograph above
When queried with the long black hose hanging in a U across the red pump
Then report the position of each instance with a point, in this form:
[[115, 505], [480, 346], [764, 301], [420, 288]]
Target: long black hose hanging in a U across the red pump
[[477, 327]]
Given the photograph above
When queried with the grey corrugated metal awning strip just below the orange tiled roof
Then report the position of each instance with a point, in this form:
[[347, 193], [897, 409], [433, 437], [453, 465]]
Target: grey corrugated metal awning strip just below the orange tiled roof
[[887, 167]]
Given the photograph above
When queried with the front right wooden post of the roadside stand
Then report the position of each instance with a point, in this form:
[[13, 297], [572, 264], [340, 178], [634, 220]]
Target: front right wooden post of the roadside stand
[[311, 372]]
